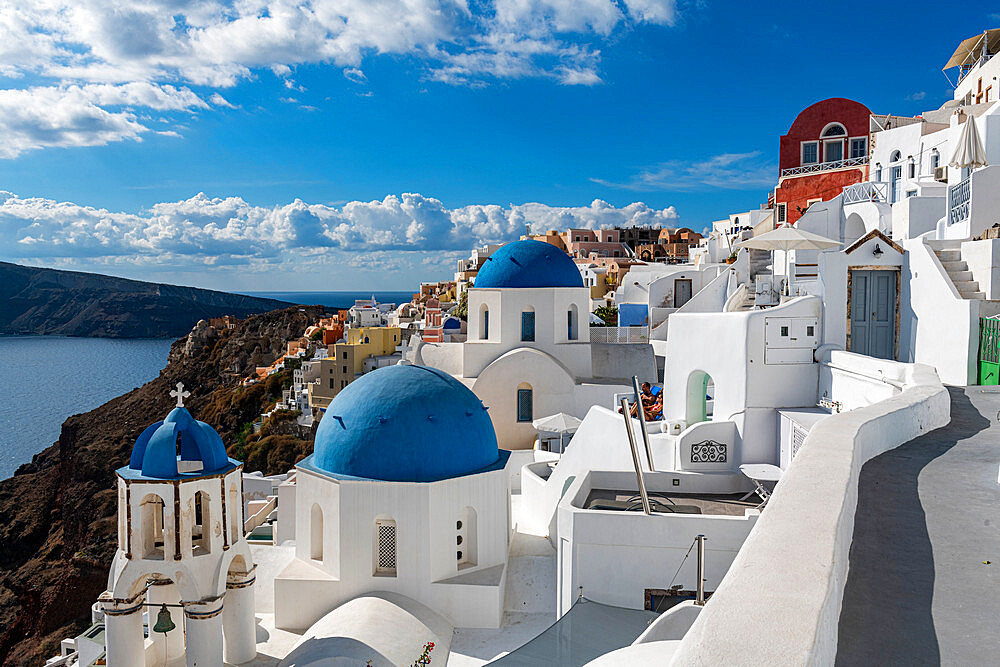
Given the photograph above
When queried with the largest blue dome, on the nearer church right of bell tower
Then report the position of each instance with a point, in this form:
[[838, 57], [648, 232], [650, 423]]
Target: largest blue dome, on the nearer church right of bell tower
[[405, 423]]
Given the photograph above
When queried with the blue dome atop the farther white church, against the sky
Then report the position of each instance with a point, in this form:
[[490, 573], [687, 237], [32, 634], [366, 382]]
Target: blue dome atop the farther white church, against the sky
[[529, 263]]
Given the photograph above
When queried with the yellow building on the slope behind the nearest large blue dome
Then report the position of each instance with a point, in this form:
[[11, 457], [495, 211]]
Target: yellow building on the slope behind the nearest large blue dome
[[347, 361]]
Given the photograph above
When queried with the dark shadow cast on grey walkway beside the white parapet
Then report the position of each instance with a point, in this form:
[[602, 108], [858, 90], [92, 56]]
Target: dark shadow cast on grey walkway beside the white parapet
[[886, 612]]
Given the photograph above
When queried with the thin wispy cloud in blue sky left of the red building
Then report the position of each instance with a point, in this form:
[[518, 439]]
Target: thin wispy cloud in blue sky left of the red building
[[731, 171]]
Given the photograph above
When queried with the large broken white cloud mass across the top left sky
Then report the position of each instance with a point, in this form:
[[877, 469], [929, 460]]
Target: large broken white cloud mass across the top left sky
[[150, 53]]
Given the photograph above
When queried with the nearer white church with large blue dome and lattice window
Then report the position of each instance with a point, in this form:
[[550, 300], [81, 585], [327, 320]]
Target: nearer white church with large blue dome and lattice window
[[405, 492]]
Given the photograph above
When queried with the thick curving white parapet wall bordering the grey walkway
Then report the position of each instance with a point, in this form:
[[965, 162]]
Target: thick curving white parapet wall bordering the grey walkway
[[784, 589]]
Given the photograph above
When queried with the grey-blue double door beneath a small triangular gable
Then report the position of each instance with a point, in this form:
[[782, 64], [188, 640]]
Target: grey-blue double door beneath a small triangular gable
[[873, 313]]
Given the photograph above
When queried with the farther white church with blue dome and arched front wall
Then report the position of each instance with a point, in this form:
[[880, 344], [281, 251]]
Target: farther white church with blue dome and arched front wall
[[528, 352]]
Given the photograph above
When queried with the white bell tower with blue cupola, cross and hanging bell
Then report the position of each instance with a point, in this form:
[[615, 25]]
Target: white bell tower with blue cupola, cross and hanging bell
[[182, 556]]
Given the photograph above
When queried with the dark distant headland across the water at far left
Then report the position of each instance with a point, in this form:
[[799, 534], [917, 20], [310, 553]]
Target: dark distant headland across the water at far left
[[71, 303]]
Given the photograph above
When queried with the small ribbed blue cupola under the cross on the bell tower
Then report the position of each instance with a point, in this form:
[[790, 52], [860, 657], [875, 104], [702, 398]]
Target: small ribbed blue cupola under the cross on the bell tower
[[155, 452]]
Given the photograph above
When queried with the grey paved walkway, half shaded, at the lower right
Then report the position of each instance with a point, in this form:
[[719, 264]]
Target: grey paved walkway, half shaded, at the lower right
[[918, 592]]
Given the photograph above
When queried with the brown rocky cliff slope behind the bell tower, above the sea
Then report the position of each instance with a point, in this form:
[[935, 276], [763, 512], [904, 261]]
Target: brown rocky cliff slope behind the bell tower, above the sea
[[58, 513]]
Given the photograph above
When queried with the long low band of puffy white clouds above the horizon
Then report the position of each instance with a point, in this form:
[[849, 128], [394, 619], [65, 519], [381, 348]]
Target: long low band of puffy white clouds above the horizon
[[229, 231]]
